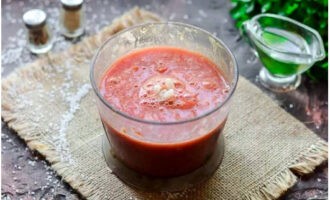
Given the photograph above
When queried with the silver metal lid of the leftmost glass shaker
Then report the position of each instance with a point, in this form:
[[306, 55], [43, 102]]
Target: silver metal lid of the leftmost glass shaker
[[34, 18]]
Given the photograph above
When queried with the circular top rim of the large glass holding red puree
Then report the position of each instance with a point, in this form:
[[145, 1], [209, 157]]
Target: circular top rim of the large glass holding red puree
[[233, 82]]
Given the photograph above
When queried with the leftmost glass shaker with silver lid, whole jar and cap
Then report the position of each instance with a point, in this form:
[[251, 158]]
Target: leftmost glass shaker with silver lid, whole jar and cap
[[39, 36]]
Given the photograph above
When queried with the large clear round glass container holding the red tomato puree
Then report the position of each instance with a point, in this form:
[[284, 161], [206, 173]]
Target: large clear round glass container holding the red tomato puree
[[196, 148]]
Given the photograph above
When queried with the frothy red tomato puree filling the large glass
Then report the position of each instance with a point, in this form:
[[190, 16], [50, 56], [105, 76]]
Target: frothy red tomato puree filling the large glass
[[163, 84]]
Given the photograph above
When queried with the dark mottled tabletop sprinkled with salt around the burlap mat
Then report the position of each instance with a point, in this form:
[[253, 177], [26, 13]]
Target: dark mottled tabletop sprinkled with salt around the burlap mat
[[25, 175]]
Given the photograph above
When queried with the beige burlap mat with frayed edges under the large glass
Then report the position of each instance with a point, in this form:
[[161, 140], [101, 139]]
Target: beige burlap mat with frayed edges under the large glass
[[51, 106]]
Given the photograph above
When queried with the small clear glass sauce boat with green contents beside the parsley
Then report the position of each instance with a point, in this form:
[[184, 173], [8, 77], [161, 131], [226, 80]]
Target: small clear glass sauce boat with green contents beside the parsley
[[285, 47]]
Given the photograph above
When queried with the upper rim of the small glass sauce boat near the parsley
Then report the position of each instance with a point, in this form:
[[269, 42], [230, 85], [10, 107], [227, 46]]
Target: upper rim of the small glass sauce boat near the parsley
[[297, 23]]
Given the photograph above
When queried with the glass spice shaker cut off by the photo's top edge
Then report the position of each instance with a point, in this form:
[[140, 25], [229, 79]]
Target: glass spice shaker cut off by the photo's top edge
[[72, 19]]
